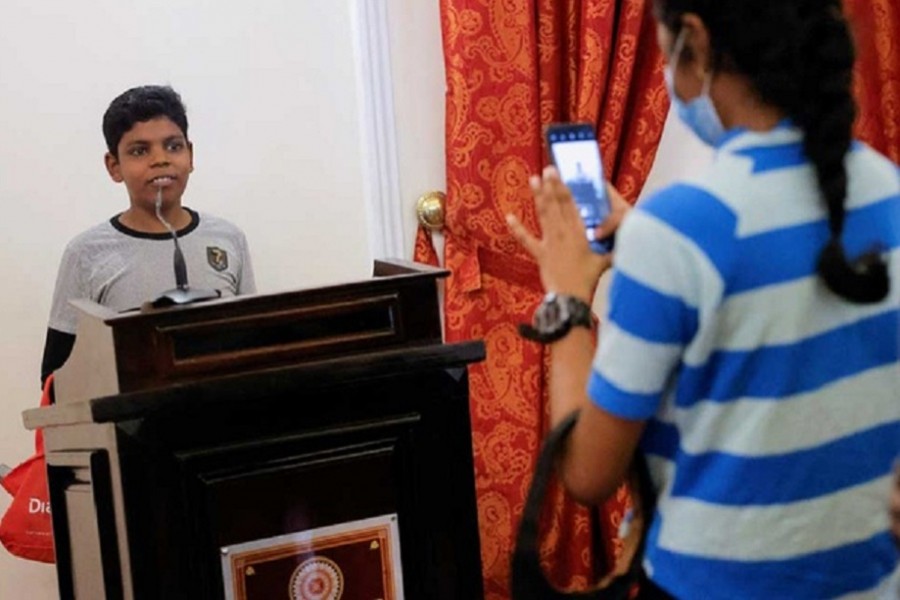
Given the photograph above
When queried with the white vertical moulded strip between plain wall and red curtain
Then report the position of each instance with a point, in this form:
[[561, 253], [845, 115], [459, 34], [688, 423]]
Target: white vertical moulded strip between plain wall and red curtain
[[401, 82]]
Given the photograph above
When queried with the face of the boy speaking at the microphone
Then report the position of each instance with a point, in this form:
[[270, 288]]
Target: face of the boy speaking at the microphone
[[152, 155]]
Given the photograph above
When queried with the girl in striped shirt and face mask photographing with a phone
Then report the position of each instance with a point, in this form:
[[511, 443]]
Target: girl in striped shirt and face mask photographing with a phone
[[751, 344]]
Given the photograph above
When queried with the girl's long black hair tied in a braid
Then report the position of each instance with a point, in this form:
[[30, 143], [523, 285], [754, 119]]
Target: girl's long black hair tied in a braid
[[799, 56]]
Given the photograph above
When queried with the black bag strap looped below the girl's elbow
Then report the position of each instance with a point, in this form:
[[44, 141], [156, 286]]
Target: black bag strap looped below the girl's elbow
[[528, 580]]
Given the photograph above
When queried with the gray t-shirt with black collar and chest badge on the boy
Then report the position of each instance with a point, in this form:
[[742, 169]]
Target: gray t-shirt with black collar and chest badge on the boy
[[121, 268]]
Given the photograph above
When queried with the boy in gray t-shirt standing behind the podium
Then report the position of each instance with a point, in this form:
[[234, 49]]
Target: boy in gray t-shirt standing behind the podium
[[128, 260]]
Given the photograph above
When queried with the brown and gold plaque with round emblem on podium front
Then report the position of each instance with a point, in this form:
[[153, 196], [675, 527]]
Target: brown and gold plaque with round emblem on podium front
[[357, 560]]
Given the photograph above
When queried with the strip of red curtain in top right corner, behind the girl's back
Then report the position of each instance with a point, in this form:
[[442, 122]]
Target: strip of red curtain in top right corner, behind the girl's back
[[876, 27]]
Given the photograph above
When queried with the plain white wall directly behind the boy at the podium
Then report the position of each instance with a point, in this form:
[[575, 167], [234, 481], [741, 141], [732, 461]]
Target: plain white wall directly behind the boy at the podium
[[269, 87]]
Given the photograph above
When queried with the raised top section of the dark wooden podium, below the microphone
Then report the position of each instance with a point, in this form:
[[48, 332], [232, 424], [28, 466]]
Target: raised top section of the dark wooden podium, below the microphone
[[158, 347]]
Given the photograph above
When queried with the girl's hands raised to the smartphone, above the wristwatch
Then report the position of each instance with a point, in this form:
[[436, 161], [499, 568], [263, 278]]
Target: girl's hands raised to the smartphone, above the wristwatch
[[566, 262]]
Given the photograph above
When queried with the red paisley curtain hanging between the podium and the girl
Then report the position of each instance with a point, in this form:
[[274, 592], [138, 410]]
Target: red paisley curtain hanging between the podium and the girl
[[512, 67]]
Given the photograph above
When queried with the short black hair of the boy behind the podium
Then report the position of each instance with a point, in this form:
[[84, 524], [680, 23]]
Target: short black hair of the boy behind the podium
[[141, 104]]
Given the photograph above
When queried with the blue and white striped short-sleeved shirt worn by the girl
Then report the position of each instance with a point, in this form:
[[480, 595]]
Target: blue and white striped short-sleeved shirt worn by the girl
[[773, 406]]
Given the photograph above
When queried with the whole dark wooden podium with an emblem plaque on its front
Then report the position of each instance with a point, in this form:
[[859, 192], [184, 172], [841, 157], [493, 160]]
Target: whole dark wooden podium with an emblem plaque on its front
[[311, 444]]
